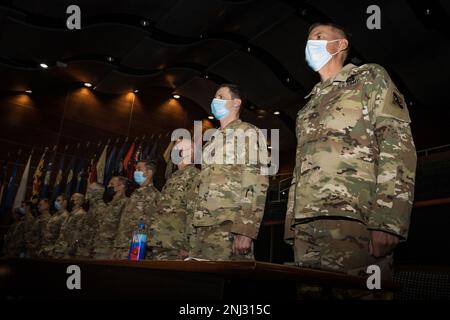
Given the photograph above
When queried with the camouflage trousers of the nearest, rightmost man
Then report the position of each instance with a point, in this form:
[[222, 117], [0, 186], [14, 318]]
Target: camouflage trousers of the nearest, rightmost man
[[340, 246]]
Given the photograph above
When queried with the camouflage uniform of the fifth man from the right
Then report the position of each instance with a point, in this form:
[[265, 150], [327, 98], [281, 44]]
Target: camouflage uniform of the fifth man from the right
[[108, 216]]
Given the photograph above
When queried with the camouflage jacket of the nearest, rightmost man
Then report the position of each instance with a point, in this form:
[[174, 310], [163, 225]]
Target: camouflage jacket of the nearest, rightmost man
[[355, 155]]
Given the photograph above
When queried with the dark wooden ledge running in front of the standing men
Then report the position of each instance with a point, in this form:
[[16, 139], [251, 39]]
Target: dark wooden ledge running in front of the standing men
[[249, 270]]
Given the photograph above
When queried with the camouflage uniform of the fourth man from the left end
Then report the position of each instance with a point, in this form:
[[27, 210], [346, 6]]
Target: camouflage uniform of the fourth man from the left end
[[65, 246]]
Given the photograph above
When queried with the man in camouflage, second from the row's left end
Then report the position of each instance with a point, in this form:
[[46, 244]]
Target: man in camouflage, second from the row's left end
[[35, 237]]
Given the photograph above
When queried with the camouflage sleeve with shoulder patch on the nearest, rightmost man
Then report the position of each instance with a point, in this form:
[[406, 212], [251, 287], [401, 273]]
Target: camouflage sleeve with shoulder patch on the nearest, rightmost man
[[396, 158]]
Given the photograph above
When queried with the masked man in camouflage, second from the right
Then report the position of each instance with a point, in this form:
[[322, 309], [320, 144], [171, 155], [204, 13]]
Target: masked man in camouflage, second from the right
[[231, 190]]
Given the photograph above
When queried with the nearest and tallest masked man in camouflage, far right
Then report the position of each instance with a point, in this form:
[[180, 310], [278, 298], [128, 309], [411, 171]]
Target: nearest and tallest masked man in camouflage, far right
[[353, 183]]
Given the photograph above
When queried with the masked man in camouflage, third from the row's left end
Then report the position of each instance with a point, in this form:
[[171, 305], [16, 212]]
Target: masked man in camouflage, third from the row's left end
[[53, 228]]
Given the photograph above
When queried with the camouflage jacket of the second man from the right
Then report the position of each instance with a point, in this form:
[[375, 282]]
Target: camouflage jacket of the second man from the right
[[231, 187]]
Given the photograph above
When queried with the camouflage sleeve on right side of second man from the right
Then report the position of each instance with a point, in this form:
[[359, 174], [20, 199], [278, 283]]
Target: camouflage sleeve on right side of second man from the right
[[254, 189]]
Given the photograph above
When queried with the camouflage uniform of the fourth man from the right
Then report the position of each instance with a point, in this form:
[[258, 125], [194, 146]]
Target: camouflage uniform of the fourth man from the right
[[140, 208]]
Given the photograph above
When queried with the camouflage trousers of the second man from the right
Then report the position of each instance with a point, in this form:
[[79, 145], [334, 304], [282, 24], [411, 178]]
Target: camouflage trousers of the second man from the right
[[215, 243]]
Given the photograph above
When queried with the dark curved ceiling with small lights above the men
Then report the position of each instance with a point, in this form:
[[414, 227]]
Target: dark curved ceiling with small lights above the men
[[192, 46]]
